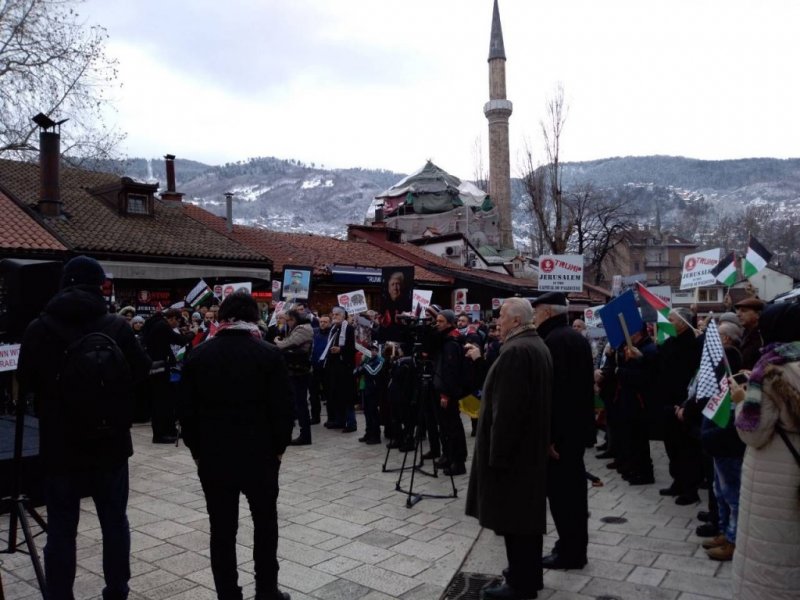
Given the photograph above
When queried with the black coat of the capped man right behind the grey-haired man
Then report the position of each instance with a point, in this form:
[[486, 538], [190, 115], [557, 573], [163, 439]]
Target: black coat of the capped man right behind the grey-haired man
[[572, 423]]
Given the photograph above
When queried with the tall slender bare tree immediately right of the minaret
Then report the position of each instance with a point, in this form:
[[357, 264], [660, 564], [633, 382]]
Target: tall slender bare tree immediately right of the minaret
[[543, 183]]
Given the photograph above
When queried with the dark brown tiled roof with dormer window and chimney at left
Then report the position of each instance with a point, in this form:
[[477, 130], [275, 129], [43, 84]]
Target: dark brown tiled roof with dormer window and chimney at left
[[91, 225]]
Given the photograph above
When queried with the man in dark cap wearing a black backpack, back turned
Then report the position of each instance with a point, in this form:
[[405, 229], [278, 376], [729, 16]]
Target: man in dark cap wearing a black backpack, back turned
[[73, 463]]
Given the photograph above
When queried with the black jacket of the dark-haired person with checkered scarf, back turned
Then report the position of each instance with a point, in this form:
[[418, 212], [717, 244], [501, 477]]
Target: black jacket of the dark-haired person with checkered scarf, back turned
[[233, 399]]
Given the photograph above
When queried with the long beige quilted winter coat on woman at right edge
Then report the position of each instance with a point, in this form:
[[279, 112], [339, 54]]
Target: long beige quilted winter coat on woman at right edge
[[766, 563]]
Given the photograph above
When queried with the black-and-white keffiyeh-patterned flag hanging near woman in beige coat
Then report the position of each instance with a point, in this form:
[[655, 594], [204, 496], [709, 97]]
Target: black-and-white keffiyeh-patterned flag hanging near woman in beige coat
[[712, 378]]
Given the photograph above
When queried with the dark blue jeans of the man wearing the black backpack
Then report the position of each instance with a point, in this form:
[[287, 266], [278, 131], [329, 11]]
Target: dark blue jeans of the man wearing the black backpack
[[109, 490]]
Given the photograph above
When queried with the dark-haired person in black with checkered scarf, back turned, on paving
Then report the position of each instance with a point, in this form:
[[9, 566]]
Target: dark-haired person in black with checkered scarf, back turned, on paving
[[236, 416]]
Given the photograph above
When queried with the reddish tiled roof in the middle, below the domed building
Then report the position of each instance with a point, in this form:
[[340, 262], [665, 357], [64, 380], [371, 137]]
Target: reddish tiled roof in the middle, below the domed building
[[314, 250]]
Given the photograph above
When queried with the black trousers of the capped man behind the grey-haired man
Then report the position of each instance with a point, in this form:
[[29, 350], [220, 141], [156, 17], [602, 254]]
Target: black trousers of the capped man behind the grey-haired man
[[569, 504]]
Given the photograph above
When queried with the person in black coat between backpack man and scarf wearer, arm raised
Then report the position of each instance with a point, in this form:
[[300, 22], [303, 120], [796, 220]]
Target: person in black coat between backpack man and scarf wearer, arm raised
[[159, 336]]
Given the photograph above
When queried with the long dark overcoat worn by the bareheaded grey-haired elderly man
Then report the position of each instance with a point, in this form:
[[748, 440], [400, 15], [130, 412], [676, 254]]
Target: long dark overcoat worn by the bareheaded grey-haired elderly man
[[509, 465]]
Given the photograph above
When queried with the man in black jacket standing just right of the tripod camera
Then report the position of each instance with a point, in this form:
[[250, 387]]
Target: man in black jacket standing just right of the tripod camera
[[448, 381]]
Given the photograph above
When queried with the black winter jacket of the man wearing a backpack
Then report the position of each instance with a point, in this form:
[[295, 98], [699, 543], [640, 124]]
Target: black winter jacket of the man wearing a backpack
[[70, 314]]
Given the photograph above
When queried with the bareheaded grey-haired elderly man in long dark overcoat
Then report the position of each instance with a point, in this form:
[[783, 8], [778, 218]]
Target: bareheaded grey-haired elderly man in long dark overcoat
[[507, 483]]
